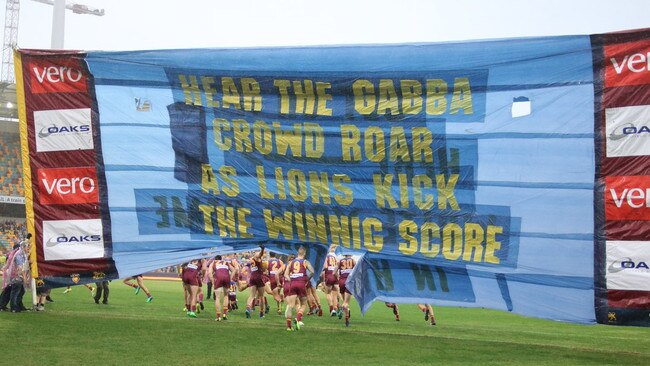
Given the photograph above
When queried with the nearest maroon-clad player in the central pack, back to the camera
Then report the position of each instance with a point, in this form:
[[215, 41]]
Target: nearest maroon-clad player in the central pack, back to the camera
[[298, 272]]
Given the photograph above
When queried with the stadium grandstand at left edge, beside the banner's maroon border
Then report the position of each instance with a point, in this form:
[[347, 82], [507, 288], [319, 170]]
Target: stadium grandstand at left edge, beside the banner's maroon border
[[12, 206]]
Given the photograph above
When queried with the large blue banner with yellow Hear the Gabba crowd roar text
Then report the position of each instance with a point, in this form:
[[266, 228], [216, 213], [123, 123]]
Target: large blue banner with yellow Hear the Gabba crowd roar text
[[461, 174]]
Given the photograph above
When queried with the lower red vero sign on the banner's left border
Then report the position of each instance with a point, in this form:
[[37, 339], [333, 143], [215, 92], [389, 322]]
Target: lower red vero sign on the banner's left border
[[65, 186]]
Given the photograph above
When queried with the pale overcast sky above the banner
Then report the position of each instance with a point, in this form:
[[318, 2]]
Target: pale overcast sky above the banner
[[164, 24]]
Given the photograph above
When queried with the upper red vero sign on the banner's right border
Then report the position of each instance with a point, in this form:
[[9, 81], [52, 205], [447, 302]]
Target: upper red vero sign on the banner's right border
[[627, 64]]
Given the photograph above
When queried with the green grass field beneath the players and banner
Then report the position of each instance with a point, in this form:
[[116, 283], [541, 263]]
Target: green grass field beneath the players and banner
[[75, 331]]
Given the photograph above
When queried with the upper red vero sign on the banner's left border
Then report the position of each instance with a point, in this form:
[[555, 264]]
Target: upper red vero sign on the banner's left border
[[57, 76]]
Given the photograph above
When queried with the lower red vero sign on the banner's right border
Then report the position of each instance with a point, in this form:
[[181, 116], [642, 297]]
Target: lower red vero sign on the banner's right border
[[627, 198]]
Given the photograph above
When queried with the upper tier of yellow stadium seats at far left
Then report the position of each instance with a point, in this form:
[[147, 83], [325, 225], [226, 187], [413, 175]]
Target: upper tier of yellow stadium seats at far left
[[11, 179]]
